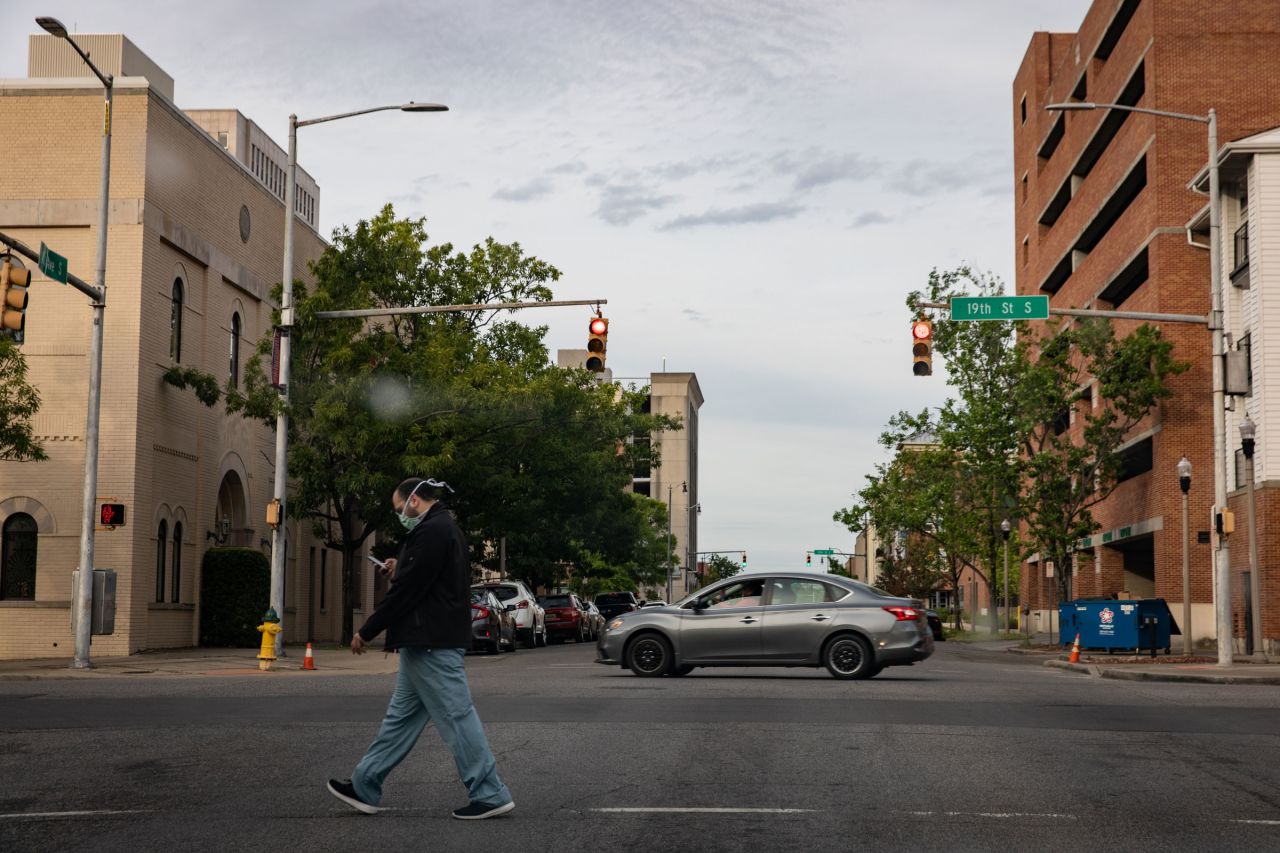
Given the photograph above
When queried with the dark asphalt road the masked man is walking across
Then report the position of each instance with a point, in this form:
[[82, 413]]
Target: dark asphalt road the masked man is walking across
[[972, 750]]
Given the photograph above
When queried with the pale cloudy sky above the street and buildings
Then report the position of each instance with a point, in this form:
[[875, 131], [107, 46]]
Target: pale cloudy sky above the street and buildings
[[755, 188]]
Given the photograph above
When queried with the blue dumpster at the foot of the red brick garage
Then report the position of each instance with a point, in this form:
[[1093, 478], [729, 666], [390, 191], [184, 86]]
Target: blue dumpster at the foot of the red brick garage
[[1110, 624]]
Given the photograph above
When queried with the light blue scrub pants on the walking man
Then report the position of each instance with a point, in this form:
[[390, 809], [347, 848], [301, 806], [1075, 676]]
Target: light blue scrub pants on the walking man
[[432, 687]]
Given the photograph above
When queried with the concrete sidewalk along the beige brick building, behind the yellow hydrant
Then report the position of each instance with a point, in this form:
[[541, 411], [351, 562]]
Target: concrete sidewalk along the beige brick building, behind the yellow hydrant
[[204, 663]]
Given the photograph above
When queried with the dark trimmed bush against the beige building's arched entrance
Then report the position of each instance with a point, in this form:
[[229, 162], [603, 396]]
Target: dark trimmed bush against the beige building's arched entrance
[[235, 592]]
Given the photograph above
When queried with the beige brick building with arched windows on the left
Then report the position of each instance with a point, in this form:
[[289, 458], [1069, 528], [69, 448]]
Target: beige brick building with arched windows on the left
[[194, 249]]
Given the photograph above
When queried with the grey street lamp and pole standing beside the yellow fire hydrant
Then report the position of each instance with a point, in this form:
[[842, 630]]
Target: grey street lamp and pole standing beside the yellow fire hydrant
[[282, 419]]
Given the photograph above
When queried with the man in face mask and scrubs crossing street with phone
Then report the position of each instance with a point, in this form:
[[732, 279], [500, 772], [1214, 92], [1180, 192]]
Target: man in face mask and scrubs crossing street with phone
[[427, 615]]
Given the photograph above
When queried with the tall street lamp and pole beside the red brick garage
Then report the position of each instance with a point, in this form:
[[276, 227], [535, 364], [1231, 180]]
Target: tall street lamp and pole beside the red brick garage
[[1223, 568]]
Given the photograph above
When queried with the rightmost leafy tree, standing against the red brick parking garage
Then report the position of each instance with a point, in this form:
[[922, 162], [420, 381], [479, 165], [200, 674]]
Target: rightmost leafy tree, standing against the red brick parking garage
[[1084, 395]]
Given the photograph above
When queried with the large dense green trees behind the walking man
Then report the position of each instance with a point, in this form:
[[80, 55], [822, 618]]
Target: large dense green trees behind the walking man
[[538, 454]]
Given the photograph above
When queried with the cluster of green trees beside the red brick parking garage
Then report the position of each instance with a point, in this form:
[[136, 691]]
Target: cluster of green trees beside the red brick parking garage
[[1005, 446]]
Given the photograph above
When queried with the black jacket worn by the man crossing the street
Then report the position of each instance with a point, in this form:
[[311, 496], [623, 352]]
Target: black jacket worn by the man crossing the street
[[429, 603]]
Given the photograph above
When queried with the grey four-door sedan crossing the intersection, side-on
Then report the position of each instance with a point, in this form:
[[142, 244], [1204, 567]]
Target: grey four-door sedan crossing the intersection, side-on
[[772, 619]]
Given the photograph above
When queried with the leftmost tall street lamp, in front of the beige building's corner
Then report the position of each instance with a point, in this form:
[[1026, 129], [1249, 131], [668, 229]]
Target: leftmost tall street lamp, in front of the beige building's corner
[[83, 597]]
